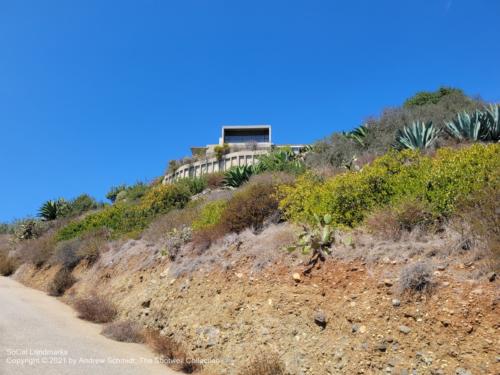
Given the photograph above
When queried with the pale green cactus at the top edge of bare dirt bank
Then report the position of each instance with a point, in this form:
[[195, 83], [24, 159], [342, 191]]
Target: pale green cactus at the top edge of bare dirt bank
[[317, 240]]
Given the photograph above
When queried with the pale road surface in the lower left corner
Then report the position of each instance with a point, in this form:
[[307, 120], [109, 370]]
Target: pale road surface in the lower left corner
[[41, 335]]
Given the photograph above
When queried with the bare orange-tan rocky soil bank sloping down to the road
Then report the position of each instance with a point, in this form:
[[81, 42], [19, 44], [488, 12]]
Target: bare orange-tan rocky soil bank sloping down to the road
[[349, 317]]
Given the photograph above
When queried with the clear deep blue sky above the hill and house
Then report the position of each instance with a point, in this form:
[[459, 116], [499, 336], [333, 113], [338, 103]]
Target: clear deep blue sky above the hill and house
[[95, 93]]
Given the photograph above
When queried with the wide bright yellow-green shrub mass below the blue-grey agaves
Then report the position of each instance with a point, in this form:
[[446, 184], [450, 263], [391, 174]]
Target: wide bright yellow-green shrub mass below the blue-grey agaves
[[397, 176]]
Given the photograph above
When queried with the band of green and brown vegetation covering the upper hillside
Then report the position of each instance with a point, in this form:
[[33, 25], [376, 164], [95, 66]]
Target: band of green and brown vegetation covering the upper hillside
[[413, 165]]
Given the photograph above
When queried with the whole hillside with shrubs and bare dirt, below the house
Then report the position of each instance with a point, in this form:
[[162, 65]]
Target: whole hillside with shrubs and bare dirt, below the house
[[373, 251]]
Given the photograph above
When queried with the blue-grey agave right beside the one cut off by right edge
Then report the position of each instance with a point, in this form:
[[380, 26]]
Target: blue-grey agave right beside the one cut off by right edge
[[468, 127]]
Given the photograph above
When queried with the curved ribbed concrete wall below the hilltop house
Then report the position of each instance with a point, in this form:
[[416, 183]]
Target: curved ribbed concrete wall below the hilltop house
[[212, 165]]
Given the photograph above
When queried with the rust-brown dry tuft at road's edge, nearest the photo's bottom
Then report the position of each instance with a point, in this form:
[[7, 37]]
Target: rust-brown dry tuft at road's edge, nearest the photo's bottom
[[172, 352]]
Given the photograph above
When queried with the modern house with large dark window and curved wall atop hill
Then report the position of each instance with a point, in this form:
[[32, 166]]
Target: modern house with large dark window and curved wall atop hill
[[238, 145]]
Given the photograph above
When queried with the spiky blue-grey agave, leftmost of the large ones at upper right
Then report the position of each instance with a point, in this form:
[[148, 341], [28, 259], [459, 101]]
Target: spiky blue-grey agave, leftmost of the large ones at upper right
[[418, 135]]
